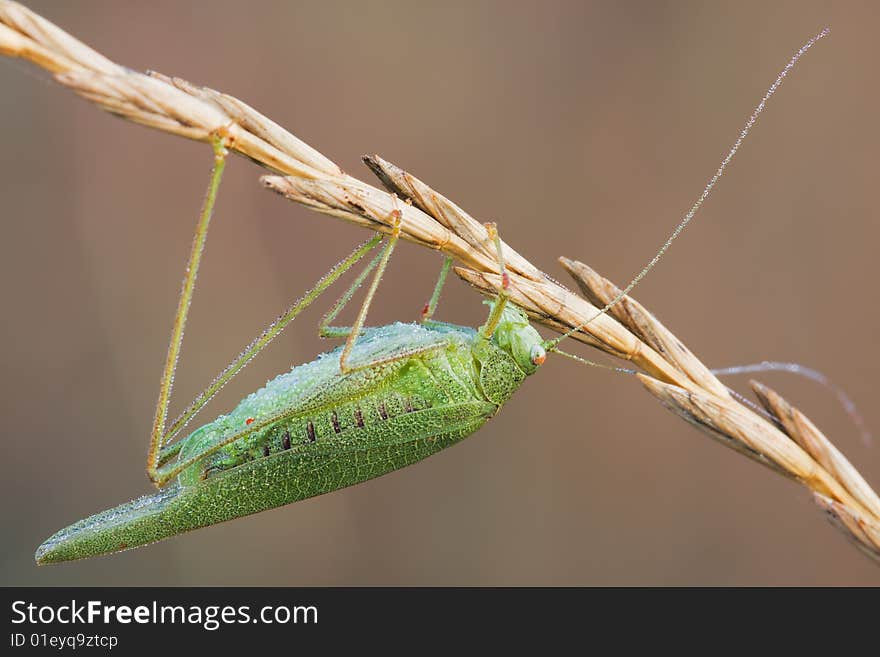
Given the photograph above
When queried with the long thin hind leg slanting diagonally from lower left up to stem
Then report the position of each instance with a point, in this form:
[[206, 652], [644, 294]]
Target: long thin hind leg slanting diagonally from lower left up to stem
[[257, 345]]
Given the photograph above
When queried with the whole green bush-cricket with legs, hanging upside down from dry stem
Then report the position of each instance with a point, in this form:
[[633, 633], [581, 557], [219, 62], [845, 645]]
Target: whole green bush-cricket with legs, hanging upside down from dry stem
[[391, 396]]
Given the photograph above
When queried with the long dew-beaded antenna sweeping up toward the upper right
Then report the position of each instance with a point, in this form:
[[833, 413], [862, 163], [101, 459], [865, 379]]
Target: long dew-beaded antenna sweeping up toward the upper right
[[707, 190]]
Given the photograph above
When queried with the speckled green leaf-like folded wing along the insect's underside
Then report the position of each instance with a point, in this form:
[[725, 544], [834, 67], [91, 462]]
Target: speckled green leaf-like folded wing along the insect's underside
[[266, 483]]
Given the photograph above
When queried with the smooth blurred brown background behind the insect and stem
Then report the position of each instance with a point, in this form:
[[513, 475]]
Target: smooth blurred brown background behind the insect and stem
[[585, 129]]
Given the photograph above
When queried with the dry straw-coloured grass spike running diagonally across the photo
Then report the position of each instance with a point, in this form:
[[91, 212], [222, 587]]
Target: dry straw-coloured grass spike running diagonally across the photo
[[784, 440]]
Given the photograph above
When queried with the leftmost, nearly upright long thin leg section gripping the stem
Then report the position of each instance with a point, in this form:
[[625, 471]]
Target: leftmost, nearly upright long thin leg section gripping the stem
[[157, 434]]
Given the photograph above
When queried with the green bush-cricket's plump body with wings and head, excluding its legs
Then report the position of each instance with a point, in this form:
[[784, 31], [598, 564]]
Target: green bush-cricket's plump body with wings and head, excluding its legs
[[439, 383]]
